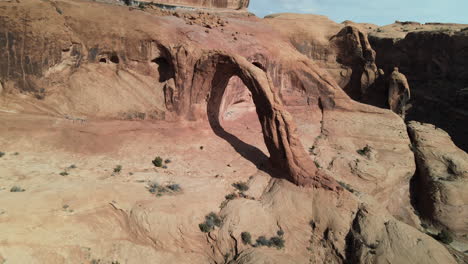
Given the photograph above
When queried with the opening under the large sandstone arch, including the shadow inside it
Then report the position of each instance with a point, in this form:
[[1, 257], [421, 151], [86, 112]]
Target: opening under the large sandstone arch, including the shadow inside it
[[231, 110]]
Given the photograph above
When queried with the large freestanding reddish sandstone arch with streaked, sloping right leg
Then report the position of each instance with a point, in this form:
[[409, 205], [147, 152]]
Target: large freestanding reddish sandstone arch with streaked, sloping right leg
[[212, 74]]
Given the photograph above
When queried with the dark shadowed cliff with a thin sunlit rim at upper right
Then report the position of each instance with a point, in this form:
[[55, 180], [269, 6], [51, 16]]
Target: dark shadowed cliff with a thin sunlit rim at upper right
[[435, 63]]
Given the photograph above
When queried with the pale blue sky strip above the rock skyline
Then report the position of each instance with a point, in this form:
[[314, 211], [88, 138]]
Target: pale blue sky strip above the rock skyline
[[379, 12]]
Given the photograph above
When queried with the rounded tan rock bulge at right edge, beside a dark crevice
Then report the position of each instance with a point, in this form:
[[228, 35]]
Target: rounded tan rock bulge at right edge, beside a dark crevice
[[441, 180]]
